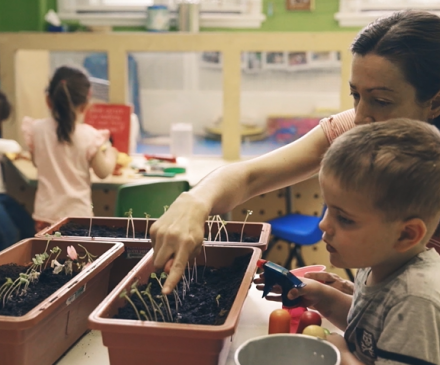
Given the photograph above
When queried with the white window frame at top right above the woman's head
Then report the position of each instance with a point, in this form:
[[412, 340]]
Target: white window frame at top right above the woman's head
[[358, 13]]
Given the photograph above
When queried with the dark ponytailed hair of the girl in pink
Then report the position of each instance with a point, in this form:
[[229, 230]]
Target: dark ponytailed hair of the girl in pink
[[68, 89]]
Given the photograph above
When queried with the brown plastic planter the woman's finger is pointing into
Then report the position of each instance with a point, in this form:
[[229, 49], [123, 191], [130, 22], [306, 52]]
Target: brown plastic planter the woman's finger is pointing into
[[155, 343]]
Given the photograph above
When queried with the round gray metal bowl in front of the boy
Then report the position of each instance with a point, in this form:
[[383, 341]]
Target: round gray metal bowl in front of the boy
[[287, 349]]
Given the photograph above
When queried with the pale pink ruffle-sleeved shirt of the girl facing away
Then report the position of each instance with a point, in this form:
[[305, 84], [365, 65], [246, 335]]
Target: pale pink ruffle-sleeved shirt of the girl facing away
[[64, 186]]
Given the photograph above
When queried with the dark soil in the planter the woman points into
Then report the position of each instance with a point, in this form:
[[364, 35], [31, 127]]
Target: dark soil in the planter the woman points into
[[208, 301]]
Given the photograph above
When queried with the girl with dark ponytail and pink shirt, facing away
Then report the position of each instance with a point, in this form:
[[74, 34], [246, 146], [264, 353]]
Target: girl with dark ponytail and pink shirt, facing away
[[64, 149]]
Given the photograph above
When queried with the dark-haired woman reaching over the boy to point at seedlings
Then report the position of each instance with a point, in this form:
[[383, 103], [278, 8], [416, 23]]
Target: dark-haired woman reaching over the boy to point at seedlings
[[395, 73]]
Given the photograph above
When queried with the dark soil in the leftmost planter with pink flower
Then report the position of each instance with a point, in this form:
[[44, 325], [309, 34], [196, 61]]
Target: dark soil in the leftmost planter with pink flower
[[47, 284]]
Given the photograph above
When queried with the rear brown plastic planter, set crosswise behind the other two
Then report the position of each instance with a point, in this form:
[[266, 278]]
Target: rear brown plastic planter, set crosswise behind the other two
[[136, 248]]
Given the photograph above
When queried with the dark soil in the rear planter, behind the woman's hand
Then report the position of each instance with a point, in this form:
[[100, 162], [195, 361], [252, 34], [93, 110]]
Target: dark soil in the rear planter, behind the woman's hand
[[75, 229]]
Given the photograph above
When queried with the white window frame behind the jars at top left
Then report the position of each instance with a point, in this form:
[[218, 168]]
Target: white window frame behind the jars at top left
[[213, 13]]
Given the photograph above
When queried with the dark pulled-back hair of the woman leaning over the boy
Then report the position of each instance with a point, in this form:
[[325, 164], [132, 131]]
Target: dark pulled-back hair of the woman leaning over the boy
[[411, 40]]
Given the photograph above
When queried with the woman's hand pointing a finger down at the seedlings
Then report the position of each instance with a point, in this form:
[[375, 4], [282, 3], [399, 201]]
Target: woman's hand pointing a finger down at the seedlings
[[177, 237]]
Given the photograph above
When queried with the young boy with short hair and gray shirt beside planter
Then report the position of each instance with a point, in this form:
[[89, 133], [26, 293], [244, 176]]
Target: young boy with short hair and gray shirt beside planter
[[381, 185]]
